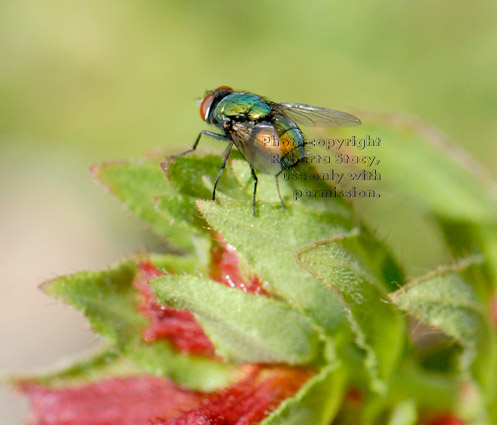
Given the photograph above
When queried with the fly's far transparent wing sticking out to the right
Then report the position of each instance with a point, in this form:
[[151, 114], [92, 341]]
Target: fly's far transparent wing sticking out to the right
[[313, 116]]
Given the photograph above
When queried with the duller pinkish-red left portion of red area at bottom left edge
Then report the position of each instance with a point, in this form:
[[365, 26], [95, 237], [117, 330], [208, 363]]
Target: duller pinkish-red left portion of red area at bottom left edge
[[124, 401]]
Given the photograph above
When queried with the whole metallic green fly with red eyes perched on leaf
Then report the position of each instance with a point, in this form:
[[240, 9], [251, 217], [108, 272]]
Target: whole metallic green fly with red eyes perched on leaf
[[266, 133]]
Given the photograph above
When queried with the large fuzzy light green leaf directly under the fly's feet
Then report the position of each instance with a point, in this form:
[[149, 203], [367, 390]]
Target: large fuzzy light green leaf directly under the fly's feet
[[267, 243]]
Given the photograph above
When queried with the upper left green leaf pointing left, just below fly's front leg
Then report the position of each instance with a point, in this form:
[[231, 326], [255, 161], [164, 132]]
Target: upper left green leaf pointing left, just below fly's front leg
[[137, 185]]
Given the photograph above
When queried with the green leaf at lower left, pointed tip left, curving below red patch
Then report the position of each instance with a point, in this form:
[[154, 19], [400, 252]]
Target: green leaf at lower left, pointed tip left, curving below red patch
[[108, 299]]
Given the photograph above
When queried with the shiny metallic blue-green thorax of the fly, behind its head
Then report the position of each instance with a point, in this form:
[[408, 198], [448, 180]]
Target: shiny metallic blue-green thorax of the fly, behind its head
[[244, 106]]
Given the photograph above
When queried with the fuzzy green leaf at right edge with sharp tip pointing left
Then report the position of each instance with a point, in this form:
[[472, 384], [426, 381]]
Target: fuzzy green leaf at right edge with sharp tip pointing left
[[444, 300]]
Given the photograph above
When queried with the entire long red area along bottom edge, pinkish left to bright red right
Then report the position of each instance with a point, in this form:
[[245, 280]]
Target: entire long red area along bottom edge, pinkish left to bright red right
[[149, 400]]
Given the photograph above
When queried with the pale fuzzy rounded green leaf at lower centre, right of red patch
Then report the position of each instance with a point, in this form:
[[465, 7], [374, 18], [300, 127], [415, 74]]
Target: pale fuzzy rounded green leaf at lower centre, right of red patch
[[244, 328]]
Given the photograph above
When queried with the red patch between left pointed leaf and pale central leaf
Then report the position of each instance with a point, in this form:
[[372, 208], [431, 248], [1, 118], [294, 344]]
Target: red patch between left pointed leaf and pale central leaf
[[179, 327]]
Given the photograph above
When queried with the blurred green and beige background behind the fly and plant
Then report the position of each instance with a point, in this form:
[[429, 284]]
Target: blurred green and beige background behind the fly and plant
[[86, 81]]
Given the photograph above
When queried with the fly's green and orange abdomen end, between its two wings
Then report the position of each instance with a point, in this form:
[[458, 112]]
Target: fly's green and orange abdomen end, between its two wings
[[291, 141]]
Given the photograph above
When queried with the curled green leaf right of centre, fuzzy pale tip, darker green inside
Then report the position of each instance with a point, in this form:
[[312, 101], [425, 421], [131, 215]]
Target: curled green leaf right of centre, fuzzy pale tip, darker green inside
[[345, 264]]
